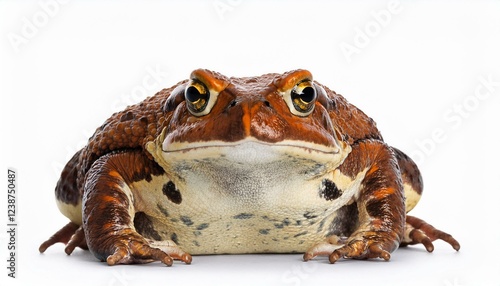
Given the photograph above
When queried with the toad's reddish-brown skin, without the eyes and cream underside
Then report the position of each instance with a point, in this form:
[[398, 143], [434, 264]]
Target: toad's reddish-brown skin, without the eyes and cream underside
[[115, 156]]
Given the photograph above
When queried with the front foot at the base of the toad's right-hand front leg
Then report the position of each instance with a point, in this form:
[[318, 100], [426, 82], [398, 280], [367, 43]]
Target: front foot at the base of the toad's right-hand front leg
[[361, 246]]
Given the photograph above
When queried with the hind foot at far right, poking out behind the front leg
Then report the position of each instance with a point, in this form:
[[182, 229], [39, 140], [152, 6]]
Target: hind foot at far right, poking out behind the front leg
[[418, 231]]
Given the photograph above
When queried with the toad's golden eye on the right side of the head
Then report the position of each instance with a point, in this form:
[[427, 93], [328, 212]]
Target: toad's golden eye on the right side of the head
[[302, 98]]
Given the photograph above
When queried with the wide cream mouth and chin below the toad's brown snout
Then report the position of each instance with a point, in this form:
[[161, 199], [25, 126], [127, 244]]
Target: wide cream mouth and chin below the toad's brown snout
[[247, 158]]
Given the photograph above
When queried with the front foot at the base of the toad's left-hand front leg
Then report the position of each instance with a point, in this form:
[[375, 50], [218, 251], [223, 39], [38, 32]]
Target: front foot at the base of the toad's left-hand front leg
[[132, 248]]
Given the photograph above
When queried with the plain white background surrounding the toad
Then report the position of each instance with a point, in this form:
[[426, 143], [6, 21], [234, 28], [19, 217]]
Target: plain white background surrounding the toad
[[416, 68]]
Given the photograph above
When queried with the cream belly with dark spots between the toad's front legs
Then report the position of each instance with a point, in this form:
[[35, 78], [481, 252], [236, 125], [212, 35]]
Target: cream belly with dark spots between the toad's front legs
[[207, 221]]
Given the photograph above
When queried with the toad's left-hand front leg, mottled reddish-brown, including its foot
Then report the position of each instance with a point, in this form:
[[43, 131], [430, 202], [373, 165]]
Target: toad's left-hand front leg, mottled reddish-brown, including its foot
[[108, 212]]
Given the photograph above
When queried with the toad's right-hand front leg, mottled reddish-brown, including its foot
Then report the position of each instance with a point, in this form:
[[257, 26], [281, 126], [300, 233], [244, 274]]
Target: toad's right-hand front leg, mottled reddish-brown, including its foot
[[380, 204]]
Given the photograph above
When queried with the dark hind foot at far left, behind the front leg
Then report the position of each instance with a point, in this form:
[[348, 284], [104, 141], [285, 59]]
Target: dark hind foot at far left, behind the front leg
[[71, 234]]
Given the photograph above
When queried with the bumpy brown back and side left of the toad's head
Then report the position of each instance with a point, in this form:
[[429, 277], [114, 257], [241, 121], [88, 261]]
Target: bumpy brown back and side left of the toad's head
[[126, 130]]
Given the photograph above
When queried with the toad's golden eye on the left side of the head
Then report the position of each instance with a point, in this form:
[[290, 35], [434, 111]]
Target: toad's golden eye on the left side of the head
[[199, 100]]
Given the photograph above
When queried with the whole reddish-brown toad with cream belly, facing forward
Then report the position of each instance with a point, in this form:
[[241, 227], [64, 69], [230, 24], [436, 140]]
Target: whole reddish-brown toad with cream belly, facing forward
[[277, 163]]
